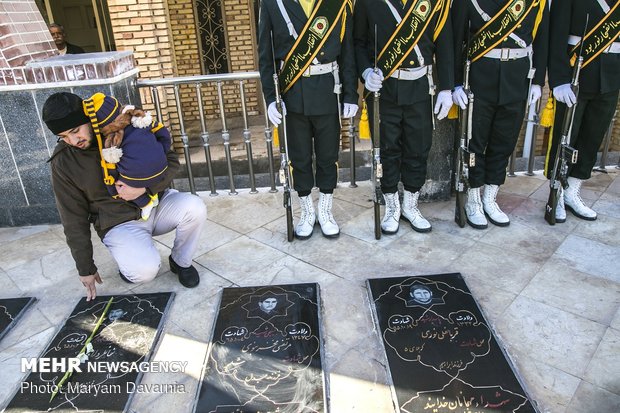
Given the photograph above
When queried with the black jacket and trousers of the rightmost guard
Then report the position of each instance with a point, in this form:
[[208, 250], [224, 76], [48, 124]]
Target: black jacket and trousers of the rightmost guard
[[599, 83]]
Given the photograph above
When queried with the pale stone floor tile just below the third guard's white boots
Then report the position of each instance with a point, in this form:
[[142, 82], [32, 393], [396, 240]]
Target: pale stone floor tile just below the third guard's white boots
[[497, 267]]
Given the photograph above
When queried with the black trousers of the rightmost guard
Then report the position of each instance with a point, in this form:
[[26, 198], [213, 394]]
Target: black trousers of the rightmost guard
[[593, 115]]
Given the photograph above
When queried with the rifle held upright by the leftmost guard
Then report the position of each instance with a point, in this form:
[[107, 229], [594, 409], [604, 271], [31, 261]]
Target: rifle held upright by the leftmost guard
[[285, 172]]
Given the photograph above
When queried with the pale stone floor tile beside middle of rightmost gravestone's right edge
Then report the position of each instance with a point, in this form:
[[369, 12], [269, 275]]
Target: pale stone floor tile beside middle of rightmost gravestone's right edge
[[558, 338]]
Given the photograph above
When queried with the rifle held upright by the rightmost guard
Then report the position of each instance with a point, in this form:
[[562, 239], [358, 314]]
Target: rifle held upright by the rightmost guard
[[565, 154]]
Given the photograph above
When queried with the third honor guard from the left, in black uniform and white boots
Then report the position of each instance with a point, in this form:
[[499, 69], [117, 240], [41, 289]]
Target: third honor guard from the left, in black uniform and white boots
[[507, 44]]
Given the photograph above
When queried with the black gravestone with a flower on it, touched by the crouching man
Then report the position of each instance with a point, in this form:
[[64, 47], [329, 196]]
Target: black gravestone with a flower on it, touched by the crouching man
[[128, 333]]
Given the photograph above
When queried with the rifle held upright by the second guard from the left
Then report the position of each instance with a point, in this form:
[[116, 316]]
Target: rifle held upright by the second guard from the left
[[377, 168]]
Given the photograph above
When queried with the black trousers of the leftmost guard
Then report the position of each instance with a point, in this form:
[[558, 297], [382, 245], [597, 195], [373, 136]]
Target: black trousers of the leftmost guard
[[325, 129]]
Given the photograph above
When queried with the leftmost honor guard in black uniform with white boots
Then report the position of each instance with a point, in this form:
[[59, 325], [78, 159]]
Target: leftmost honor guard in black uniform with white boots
[[310, 43]]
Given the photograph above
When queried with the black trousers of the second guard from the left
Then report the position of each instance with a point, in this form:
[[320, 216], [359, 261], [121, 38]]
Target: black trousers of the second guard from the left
[[406, 137]]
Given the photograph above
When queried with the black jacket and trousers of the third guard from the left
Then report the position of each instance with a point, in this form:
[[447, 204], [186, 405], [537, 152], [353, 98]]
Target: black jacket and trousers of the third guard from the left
[[500, 87]]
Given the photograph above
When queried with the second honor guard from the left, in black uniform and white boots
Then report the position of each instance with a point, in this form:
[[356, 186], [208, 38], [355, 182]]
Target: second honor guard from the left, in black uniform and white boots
[[395, 43]]
